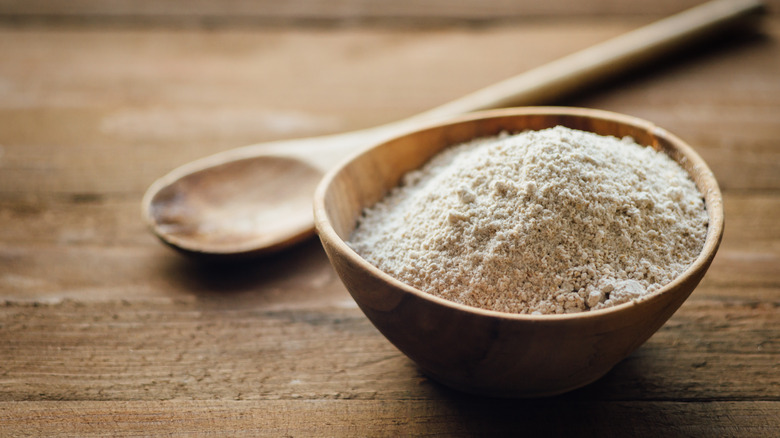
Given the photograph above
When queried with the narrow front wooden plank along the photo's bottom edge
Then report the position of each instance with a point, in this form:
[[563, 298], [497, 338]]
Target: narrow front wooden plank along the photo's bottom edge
[[449, 416]]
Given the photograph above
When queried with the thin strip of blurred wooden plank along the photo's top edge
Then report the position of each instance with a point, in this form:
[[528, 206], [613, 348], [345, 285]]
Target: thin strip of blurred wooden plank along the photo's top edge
[[266, 11]]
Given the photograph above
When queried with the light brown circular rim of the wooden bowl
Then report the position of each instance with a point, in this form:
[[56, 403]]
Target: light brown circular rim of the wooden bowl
[[713, 203]]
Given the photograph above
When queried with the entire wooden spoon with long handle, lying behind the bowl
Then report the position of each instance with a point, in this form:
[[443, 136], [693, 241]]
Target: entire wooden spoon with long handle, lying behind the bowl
[[258, 199]]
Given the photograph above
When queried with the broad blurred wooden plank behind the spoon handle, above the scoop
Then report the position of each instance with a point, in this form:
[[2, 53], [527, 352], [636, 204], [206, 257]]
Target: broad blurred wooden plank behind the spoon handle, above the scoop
[[91, 112]]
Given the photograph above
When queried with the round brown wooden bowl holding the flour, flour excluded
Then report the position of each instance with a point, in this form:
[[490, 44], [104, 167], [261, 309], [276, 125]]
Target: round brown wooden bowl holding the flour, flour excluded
[[487, 352]]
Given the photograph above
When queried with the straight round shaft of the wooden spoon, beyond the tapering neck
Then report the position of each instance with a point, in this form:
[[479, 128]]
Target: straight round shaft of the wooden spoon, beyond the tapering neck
[[604, 60]]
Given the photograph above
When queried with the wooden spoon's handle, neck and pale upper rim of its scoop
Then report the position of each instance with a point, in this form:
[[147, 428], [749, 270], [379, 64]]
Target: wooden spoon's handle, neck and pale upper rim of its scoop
[[535, 87]]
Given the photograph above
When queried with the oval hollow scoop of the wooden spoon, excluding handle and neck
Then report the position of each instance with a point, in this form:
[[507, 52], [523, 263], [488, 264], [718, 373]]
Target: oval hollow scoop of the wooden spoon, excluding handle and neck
[[211, 211]]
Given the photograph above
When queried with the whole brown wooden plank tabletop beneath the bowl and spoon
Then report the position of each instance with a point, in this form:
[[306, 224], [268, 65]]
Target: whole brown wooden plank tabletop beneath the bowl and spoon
[[103, 330]]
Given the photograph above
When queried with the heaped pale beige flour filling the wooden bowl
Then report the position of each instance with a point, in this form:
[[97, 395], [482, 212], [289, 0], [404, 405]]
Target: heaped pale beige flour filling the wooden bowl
[[551, 221]]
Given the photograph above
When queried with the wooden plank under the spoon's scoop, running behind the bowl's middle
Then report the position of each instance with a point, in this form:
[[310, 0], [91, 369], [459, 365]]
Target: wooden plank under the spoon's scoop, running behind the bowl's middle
[[75, 246]]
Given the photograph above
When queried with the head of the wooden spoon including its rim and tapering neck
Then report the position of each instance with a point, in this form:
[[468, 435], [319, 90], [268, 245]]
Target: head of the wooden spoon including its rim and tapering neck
[[248, 201]]
